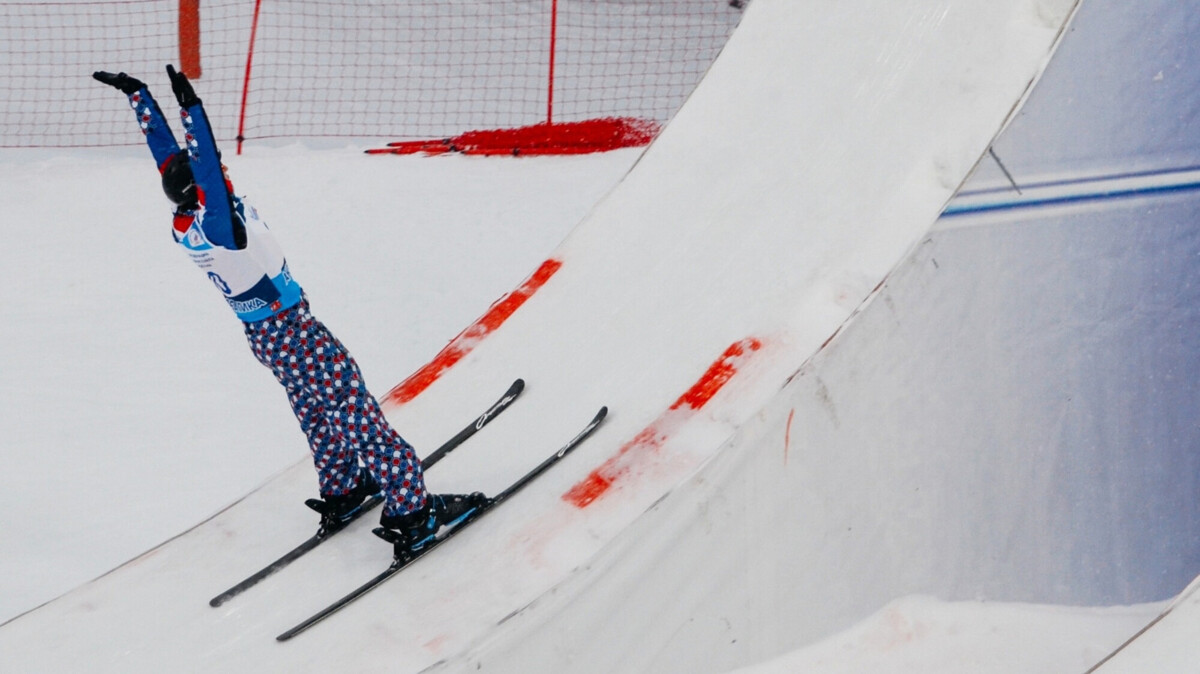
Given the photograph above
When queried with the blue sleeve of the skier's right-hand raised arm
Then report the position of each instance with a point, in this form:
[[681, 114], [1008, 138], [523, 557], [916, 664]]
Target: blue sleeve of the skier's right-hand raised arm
[[215, 192]]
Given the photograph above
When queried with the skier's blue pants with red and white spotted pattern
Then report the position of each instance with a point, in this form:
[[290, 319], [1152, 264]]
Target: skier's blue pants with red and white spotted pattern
[[338, 414]]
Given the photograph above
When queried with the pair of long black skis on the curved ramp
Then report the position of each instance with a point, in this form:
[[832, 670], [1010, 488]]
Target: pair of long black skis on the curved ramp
[[405, 559]]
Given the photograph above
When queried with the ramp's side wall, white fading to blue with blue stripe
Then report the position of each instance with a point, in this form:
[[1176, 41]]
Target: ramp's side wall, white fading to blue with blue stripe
[[1011, 419]]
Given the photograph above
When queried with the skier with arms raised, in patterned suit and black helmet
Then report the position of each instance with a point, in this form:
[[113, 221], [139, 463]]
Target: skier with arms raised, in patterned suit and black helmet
[[357, 454]]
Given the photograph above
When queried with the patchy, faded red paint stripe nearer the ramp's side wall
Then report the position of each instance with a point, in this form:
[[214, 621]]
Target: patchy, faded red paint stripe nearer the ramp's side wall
[[598, 483]]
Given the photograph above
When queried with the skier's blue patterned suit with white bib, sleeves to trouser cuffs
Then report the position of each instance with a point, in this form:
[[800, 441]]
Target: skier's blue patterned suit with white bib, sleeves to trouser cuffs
[[346, 430]]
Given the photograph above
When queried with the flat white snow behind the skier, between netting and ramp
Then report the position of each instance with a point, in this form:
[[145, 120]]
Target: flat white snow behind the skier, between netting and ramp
[[133, 406]]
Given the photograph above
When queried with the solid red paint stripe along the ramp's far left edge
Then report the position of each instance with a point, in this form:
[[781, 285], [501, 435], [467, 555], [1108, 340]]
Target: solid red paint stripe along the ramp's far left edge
[[471, 338]]
